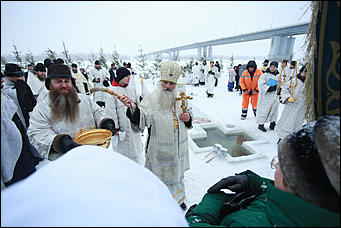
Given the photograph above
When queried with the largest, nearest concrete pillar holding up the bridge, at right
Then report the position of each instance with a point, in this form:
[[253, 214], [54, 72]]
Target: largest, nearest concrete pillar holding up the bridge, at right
[[281, 48]]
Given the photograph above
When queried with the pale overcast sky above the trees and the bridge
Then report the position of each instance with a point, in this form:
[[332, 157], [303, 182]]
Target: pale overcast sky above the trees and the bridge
[[86, 26]]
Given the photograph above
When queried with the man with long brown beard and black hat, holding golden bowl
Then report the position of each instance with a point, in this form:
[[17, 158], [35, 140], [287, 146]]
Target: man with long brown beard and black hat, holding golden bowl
[[55, 119]]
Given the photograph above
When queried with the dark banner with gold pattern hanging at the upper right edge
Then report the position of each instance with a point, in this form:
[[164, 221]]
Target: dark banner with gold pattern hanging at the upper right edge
[[327, 60]]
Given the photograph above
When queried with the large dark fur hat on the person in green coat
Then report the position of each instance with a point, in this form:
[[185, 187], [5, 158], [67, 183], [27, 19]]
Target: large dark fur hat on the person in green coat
[[310, 162]]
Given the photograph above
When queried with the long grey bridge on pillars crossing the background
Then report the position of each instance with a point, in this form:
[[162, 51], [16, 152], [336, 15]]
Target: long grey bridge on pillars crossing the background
[[282, 42]]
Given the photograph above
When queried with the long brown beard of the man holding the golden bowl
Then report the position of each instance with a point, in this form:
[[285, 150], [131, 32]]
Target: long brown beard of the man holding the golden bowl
[[64, 106]]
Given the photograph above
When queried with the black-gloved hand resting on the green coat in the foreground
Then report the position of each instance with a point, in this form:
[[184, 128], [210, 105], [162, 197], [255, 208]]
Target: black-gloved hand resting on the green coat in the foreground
[[236, 184]]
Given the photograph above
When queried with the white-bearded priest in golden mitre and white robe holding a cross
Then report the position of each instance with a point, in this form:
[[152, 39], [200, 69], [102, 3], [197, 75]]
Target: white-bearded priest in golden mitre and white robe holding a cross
[[167, 144]]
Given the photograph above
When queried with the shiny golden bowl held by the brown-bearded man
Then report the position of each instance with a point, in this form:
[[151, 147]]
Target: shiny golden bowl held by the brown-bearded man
[[99, 137]]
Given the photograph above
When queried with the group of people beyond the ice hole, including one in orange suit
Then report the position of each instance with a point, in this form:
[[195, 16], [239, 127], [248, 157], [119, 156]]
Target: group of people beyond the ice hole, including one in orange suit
[[264, 88]]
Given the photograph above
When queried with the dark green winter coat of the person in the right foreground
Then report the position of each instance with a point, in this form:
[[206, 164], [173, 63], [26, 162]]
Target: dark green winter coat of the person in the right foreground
[[272, 207]]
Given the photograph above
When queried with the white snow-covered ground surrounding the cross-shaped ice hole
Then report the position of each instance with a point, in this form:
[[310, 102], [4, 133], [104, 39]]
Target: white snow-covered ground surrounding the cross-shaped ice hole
[[224, 109]]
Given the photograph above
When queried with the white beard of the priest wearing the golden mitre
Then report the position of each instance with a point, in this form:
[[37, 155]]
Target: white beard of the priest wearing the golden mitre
[[164, 99]]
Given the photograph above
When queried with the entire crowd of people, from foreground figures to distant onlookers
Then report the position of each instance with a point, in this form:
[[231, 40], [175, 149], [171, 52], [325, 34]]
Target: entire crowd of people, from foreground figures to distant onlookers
[[43, 107]]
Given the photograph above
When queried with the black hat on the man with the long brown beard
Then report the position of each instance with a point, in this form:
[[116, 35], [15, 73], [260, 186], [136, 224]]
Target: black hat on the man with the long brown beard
[[58, 71]]
